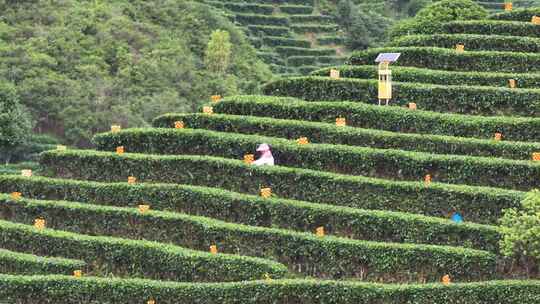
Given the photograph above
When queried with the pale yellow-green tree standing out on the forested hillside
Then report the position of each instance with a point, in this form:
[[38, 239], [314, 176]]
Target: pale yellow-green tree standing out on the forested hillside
[[218, 53]]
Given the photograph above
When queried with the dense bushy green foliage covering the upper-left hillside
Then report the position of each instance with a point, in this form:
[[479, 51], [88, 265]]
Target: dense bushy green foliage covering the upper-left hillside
[[81, 66]]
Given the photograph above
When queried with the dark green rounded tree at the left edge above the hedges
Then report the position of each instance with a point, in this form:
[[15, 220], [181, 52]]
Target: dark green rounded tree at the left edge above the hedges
[[15, 126]]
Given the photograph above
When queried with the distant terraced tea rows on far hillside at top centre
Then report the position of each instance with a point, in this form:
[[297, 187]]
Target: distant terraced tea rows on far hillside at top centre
[[291, 36]]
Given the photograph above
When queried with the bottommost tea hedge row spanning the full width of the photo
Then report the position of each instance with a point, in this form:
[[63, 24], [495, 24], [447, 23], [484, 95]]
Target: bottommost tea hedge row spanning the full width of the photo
[[64, 290]]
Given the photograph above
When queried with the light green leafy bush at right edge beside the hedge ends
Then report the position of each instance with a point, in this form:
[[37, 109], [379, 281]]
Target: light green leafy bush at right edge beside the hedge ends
[[521, 233]]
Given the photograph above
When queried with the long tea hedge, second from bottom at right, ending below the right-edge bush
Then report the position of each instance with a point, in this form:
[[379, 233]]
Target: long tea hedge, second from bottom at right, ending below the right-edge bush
[[308, 254]]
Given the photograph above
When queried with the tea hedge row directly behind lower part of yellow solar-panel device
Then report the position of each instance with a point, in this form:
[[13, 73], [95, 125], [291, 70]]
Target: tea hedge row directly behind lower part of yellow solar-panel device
[[439, 98]]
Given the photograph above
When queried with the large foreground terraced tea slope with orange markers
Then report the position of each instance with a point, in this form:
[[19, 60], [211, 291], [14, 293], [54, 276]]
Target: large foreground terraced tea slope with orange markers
[[363, 211]]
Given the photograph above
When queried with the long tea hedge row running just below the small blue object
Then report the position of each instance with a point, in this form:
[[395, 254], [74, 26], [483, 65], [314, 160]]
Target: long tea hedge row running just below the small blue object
[[273, 212]]
